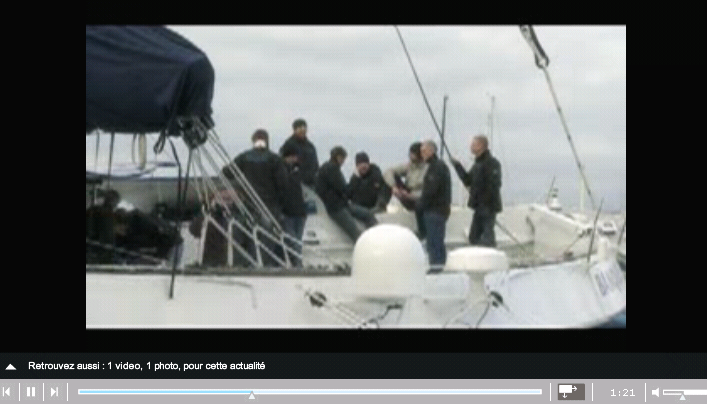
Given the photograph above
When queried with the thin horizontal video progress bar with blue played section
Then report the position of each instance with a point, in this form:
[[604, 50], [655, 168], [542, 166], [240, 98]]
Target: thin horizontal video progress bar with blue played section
[[317, 391]]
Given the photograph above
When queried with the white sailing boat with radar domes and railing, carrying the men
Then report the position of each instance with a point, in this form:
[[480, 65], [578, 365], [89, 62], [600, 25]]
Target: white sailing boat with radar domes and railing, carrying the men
[[381, 281]]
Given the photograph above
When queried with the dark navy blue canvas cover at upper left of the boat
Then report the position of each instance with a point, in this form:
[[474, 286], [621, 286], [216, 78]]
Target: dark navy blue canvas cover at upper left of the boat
[[139, 79]]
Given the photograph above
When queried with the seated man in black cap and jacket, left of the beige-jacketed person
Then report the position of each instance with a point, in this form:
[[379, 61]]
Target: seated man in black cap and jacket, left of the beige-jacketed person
[[367, 187]]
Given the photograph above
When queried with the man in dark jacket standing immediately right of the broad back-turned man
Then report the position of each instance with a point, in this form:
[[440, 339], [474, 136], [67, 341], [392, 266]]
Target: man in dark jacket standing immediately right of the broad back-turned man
[[294, 207]]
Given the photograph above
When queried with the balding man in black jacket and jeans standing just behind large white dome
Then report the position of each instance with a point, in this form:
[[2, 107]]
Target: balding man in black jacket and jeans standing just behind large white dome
[[434, 203]]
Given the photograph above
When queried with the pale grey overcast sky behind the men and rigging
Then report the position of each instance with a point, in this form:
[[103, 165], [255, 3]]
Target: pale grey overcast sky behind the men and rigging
[[355, 88]]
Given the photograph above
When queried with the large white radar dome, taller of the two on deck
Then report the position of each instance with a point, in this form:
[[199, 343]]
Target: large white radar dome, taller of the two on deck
[[388, 262]]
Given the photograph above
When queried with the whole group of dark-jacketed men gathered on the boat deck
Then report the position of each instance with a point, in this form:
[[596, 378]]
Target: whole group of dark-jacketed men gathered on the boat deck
[[422, 185]]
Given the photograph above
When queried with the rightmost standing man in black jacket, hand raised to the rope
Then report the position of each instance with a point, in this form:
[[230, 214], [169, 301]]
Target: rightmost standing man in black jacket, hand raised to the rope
[[484, 182]]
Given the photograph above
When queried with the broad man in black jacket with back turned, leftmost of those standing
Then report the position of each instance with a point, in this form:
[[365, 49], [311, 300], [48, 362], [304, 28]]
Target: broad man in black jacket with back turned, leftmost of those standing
[[266, 173]]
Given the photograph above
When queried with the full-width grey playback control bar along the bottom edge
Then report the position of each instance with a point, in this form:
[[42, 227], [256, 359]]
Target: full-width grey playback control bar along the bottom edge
[[439, 391]]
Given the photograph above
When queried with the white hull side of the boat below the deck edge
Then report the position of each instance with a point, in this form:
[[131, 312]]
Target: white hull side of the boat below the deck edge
[[567, 295]]
